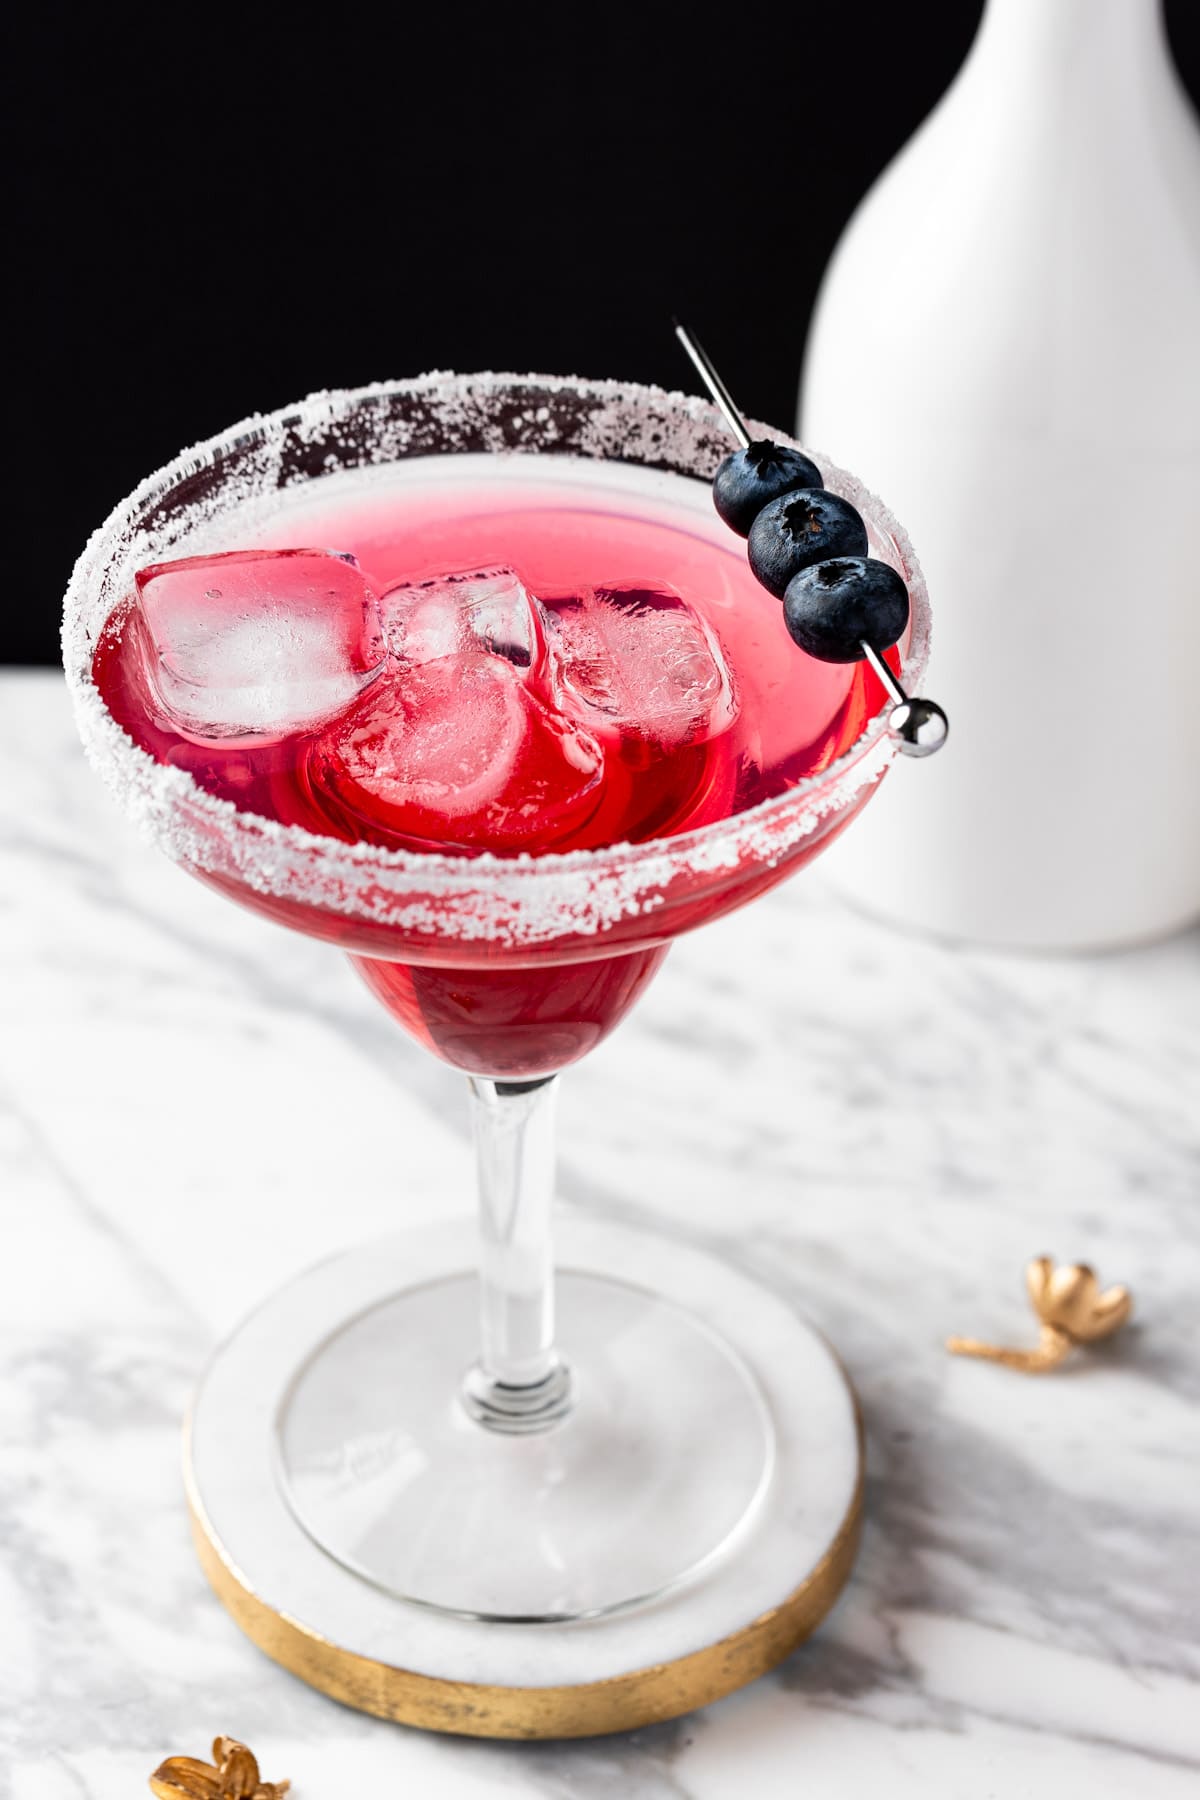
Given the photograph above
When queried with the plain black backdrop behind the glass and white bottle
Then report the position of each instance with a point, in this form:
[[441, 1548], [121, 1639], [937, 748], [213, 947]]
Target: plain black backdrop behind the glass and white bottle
[[219, 213]]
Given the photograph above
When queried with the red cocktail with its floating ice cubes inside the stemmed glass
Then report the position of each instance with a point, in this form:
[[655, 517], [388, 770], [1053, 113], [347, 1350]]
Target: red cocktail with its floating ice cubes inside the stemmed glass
[[528, 661]]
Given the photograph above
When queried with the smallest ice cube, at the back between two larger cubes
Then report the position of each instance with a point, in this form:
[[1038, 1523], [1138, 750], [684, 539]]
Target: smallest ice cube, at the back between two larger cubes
[[485, 609]]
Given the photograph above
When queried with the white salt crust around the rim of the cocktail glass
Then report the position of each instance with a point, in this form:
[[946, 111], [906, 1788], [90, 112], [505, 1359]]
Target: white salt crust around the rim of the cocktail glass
[[514, 901]]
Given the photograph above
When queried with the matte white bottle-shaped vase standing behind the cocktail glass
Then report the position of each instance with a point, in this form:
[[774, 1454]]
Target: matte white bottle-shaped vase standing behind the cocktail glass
[[1008, 346]]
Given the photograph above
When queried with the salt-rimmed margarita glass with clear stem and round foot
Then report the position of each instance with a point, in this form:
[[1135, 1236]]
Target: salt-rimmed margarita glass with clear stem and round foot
[[537, 1482]]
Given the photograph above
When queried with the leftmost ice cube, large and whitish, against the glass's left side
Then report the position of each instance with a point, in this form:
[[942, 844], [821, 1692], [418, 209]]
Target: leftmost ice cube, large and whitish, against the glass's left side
[[256, 645]]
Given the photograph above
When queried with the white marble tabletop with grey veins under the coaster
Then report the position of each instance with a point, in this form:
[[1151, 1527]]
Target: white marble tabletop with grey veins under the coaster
[[195, 1106]]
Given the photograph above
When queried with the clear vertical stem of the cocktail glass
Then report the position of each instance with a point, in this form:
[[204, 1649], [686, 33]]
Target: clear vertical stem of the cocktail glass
[[519, 1383]]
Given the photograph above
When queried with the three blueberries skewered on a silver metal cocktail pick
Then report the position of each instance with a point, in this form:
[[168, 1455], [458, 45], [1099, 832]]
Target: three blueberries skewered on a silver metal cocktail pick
[[837, 607]]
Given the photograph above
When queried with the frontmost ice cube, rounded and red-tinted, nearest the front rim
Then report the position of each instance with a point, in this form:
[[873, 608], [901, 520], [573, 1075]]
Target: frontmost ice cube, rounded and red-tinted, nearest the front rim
[[456, 751]]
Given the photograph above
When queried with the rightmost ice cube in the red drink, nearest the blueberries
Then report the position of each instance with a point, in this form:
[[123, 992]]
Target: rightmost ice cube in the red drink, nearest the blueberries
[[643, 661]]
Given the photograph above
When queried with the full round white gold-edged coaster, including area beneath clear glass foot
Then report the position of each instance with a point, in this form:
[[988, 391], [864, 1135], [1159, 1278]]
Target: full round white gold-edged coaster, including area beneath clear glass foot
[[690, 1518]]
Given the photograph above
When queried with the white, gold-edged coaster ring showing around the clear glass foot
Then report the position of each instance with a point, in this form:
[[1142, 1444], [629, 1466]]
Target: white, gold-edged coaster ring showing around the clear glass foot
[[735, 1617]]
